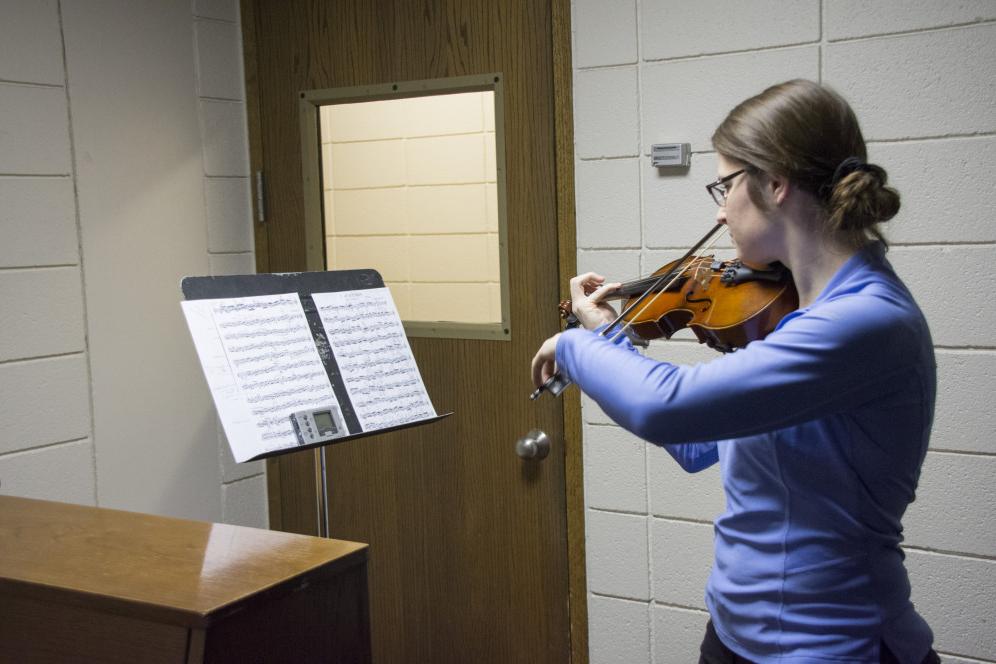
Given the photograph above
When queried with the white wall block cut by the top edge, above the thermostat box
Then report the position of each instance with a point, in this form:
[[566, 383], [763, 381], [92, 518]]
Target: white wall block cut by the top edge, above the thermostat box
[[682, 29]]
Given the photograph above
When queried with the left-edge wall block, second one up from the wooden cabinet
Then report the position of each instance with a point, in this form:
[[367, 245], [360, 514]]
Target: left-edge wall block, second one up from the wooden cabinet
[[43, 402]]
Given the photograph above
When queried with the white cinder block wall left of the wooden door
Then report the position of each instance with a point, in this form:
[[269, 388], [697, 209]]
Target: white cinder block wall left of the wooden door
[[123, 167]]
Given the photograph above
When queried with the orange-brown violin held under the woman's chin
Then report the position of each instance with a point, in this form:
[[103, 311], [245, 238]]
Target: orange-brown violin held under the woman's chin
[[726, 304]]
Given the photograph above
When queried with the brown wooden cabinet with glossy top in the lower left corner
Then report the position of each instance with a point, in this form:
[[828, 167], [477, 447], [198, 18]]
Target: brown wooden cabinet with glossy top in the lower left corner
[[85, 584]]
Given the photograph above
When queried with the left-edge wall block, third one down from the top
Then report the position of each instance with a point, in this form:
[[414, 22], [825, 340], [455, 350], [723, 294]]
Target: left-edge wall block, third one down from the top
[[38, 217]]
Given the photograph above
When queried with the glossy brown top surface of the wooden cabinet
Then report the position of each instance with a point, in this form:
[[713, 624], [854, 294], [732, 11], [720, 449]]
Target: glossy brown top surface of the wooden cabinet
[[191, 567]]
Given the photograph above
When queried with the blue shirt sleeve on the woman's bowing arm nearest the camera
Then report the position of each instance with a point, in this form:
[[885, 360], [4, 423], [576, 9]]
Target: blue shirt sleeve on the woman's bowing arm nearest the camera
[[831, 358]]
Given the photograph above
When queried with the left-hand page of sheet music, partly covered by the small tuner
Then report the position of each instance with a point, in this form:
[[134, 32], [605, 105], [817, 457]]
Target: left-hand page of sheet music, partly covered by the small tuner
[[261, 363]]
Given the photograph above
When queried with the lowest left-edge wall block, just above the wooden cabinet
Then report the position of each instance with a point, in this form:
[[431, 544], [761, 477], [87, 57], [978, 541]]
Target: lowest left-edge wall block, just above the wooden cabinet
[[60, 472]]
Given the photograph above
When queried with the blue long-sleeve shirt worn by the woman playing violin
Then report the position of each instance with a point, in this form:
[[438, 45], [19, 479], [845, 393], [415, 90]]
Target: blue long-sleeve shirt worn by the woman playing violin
[[820, 430]]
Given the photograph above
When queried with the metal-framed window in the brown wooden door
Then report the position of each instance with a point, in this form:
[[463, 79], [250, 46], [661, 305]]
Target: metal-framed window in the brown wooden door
[[413, 187]]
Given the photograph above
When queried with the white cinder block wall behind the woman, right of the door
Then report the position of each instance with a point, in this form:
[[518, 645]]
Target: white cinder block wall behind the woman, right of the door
[[920, 76]]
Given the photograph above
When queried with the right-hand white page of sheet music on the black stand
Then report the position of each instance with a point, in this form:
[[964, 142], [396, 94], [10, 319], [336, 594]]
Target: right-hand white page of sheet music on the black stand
[[374, 358]]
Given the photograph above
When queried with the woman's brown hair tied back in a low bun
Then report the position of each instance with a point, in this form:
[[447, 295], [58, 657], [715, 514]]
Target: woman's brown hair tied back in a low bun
[[808, 133]]
